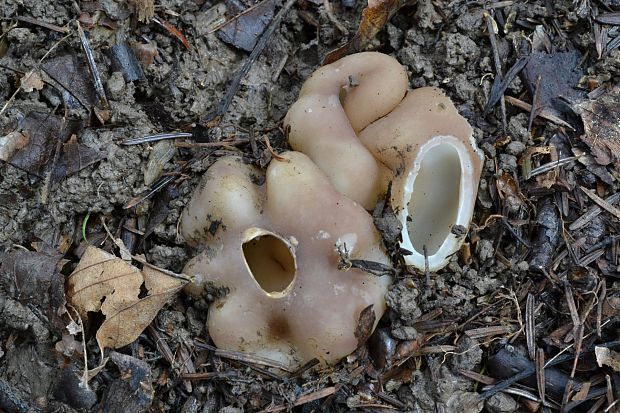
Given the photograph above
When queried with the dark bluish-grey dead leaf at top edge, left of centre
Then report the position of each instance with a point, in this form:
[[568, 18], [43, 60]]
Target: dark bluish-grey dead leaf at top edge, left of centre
[[243, 30]]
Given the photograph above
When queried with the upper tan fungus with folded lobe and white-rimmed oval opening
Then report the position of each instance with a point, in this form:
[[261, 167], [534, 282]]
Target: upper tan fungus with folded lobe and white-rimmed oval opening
[[358, 122]]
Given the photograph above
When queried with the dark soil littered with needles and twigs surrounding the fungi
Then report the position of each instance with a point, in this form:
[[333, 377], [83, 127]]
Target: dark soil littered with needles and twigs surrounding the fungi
[[438, 347]]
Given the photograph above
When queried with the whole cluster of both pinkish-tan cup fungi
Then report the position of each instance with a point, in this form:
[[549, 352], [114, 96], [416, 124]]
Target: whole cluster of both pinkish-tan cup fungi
[[271, 237]]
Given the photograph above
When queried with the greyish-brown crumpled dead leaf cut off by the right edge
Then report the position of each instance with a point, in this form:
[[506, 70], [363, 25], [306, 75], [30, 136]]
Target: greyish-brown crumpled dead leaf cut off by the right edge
[[601, 123]]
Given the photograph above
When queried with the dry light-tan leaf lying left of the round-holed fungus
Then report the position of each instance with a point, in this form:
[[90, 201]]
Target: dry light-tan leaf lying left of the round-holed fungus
[[103, 282]]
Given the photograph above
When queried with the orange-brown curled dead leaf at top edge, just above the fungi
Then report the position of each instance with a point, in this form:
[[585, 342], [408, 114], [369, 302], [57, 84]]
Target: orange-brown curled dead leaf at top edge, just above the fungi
[[374, 17]]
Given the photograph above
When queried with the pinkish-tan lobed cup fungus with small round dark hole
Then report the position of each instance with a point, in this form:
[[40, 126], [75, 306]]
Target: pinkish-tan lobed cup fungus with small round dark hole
[[270, 238]]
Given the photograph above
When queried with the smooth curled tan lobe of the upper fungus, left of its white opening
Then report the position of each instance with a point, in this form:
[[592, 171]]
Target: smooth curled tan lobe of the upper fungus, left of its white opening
[[323, 123]]
